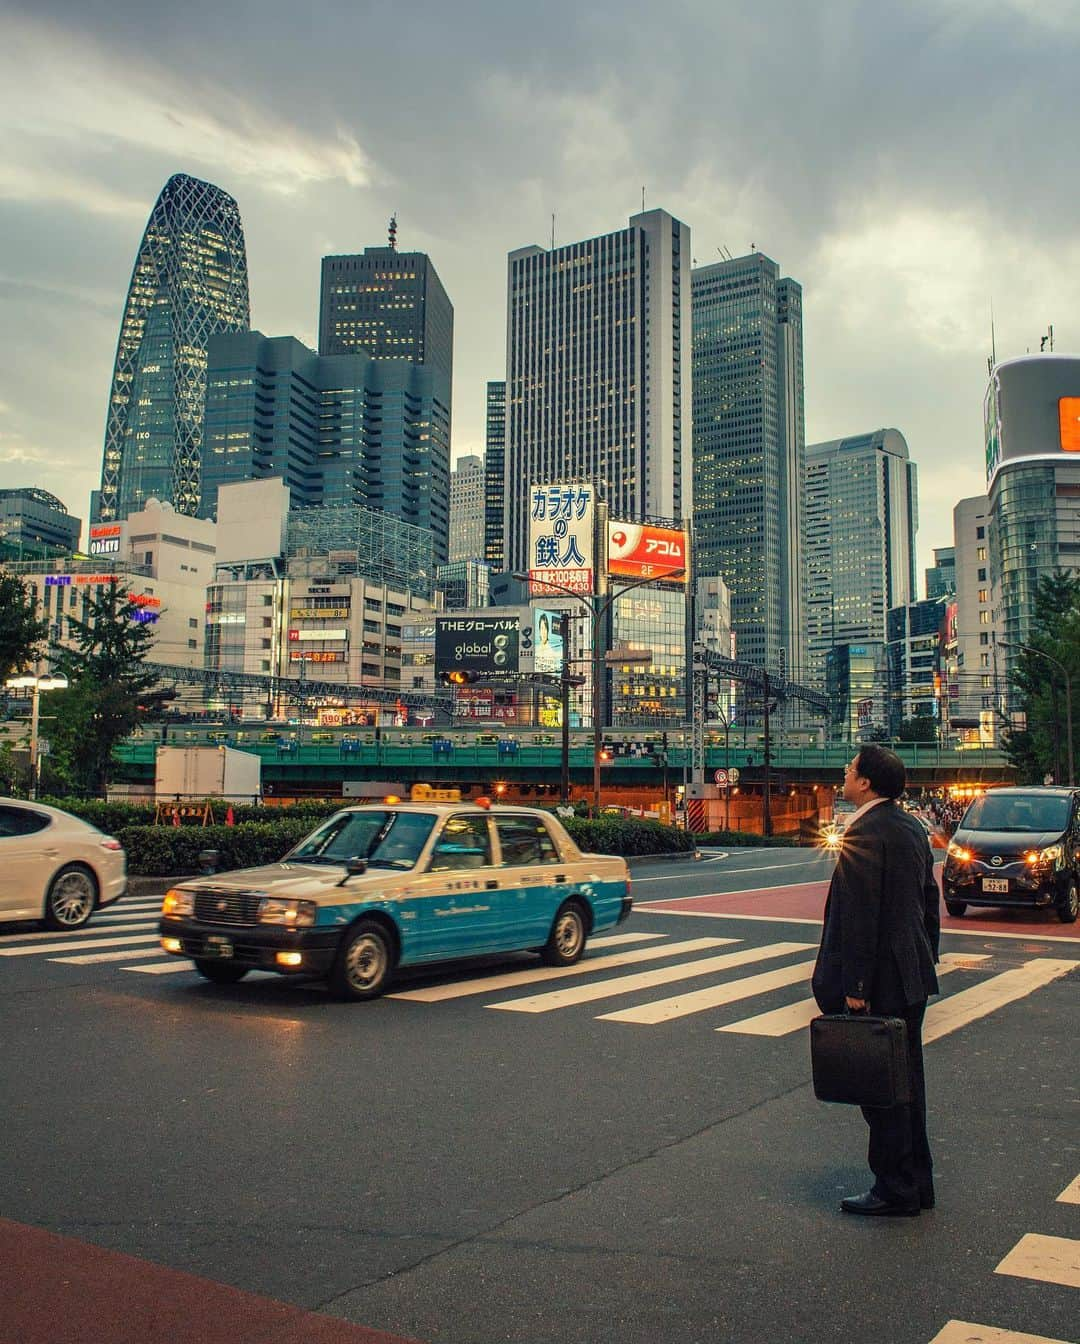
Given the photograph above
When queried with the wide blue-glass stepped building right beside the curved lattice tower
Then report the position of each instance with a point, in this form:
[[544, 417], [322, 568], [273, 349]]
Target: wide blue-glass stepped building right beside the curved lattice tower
[[341, 431]]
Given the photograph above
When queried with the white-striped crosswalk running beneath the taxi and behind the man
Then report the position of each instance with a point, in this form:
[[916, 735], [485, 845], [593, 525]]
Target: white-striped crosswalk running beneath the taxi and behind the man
[[623, 976]]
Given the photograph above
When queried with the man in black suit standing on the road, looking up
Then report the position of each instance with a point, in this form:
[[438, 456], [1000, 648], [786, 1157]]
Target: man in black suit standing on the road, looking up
[[879, 947]]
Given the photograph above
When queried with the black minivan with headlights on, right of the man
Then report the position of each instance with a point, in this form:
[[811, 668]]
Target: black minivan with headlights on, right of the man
[[1016, 847]]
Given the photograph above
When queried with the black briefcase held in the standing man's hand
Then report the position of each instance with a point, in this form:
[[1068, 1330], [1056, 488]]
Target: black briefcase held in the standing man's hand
[[860, 1060]]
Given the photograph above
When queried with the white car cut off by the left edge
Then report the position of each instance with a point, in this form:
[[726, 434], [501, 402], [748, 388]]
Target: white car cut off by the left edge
[[56, 868]]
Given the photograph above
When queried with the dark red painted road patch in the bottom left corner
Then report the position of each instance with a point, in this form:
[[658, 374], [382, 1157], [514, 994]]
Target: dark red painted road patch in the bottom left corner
[[61, 1291]]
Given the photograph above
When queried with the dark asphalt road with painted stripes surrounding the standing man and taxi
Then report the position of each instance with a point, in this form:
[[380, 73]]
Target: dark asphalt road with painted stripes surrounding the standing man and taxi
[[503, 1165]]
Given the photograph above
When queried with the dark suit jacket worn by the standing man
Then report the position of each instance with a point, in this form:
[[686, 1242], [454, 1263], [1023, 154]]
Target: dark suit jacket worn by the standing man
[[882, 919]]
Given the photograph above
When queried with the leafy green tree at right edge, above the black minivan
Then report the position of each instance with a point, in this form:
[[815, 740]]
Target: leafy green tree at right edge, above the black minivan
[[1042, 748]]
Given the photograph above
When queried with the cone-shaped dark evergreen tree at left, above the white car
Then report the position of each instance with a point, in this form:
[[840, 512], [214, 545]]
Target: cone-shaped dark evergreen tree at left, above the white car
[[109, 693]]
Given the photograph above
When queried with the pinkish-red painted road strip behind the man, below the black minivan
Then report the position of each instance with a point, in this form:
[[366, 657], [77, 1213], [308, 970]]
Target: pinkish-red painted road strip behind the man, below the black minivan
[[807, 901]]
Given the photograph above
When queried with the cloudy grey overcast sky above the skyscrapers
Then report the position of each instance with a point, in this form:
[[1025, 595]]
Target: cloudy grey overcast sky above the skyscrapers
[[907, 165]]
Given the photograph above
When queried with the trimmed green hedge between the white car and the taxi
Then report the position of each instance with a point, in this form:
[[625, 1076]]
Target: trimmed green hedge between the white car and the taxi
[[174, 851]]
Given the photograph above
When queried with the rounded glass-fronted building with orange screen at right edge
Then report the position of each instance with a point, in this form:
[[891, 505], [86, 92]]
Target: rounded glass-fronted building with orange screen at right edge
[[1032, 419]]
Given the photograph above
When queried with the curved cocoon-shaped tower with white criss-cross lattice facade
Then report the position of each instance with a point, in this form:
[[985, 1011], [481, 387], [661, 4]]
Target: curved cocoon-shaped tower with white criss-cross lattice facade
[[190, 283]]
